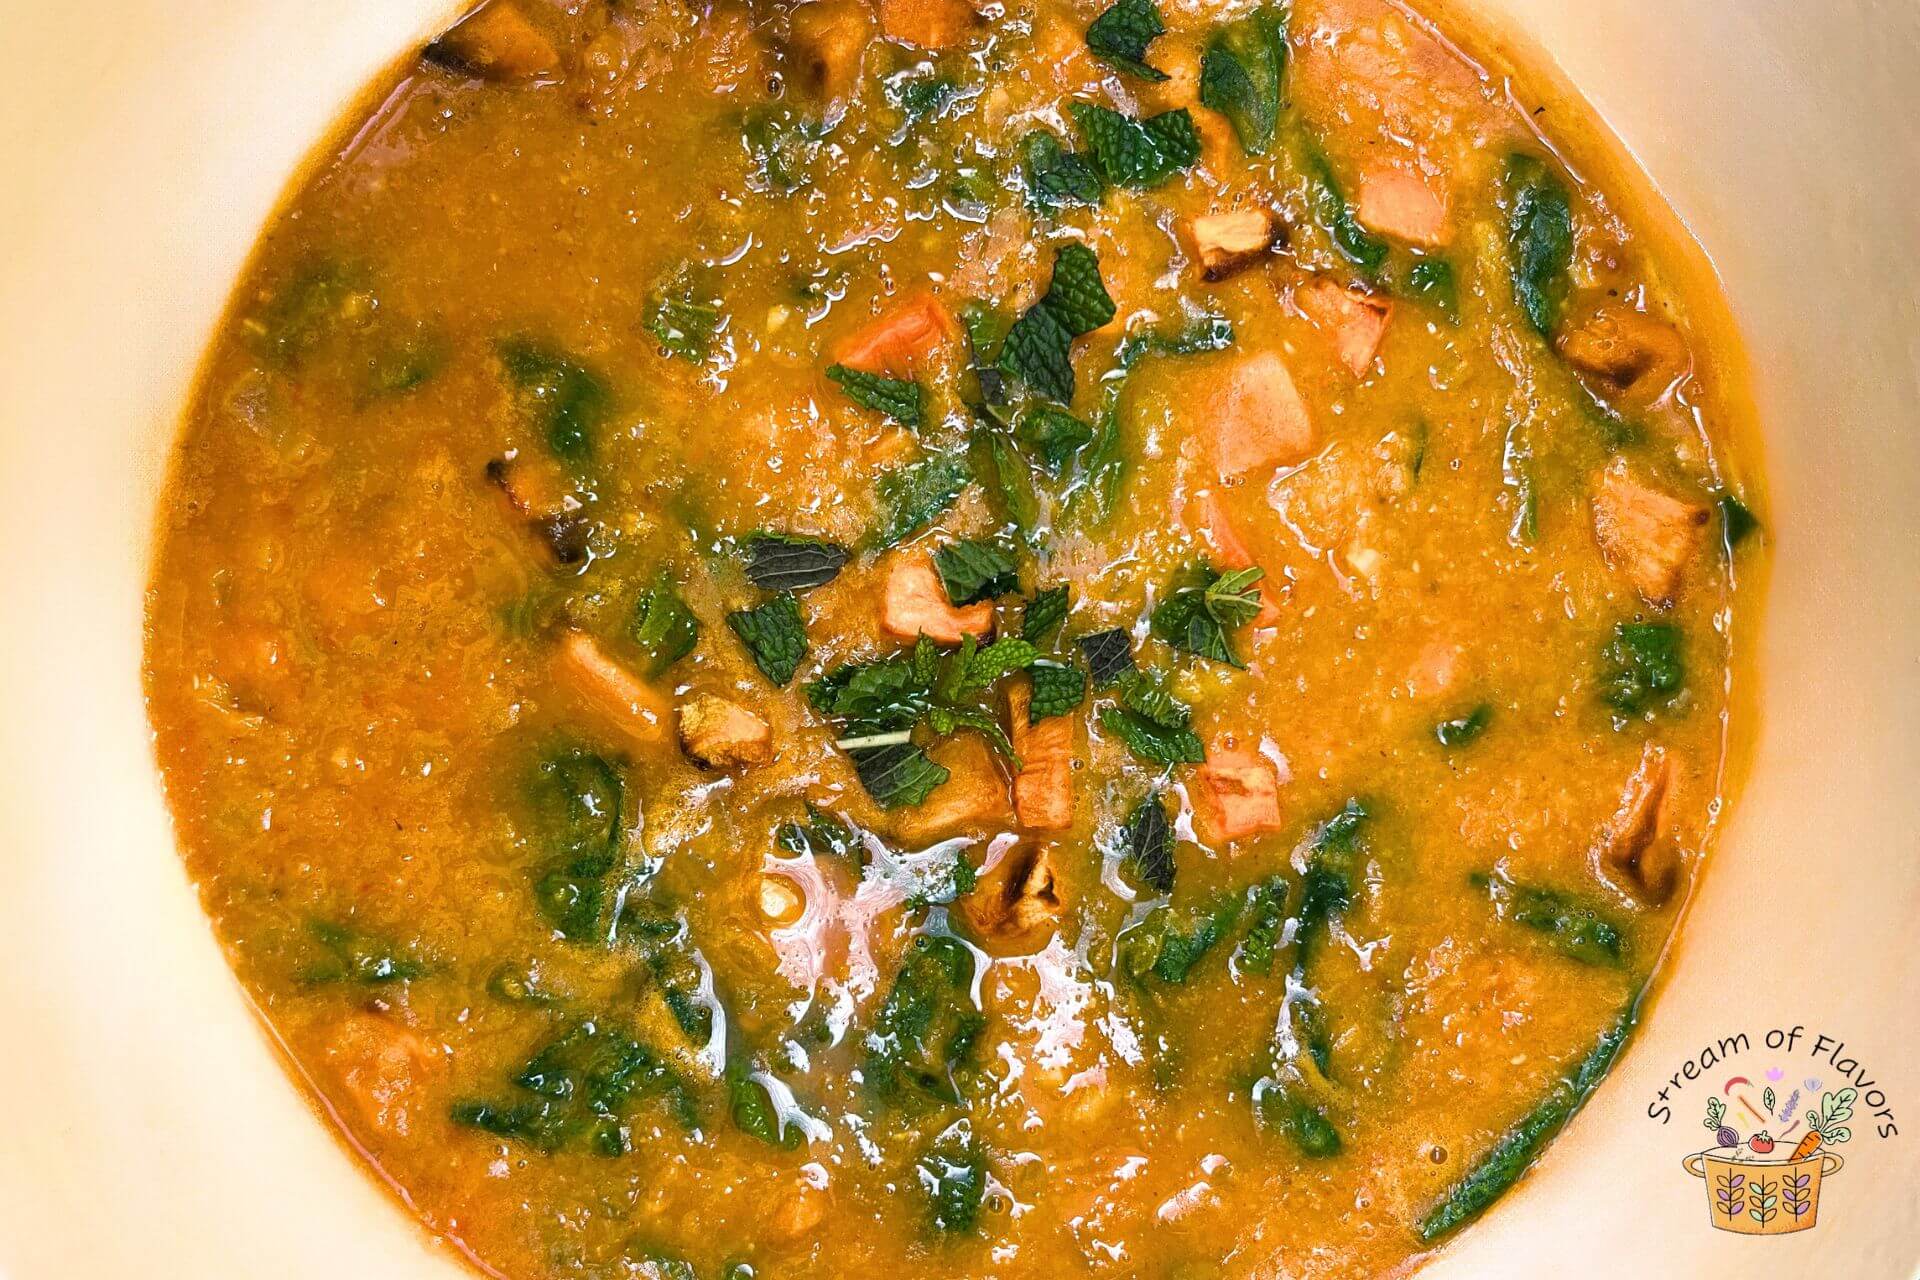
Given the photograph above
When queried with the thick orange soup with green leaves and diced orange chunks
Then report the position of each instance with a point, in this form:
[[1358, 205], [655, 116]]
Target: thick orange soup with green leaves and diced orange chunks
[[863, 640]]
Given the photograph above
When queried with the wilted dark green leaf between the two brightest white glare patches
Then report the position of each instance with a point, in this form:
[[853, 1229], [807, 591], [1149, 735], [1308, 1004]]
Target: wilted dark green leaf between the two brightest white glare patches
[[928, 1024]]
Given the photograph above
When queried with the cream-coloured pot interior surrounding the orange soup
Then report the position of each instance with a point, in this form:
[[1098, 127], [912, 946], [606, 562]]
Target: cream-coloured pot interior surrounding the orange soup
[[151, 1129]]
